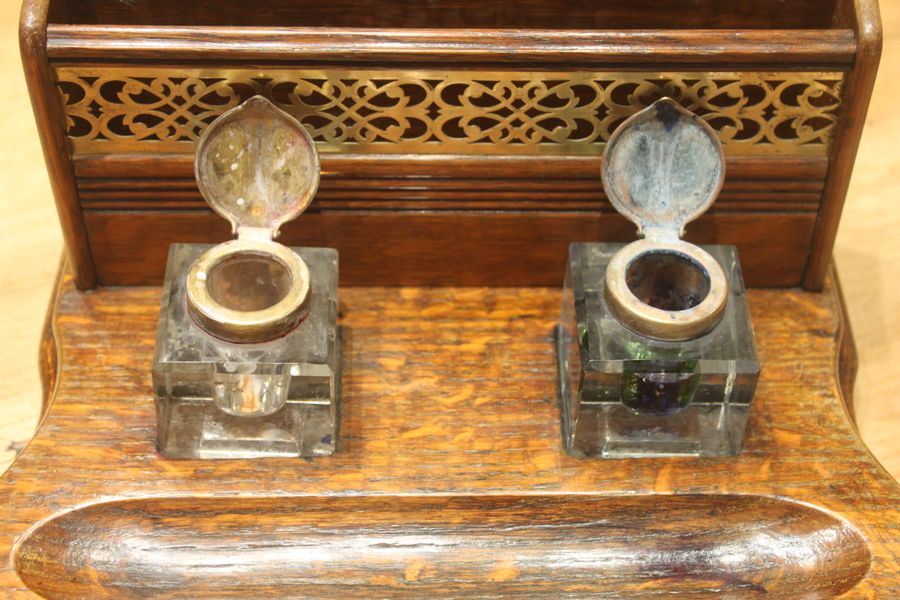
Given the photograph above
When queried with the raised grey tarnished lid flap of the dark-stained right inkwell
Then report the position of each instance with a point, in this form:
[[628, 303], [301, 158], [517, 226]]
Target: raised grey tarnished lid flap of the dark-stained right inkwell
[[662, 168]]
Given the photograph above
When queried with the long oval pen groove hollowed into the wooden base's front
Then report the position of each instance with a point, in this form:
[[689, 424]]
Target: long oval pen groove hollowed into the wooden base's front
[[487, 546]]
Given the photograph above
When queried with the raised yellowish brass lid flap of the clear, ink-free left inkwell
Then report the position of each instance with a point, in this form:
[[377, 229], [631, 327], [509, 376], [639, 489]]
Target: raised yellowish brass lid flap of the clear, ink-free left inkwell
[[257, 166]]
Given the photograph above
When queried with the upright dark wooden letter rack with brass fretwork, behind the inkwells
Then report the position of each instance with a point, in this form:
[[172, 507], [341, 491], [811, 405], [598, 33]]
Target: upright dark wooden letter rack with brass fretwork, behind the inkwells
[[754, 49]]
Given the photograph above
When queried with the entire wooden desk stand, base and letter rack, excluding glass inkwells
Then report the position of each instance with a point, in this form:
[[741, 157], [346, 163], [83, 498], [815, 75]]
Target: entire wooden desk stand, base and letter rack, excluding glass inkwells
[[449, 477]]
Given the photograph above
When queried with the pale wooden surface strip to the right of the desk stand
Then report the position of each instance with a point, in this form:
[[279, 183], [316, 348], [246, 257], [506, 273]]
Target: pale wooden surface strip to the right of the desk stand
[[867, 254]]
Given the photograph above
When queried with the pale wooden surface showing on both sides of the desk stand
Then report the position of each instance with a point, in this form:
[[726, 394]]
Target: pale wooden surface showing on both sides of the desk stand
[[867, 253]]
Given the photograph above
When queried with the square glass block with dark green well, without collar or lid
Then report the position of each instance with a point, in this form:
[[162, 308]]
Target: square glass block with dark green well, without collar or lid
[[629, 395]]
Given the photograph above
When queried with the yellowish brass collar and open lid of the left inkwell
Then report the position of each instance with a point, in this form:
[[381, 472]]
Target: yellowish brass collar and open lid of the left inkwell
[[257, 167]]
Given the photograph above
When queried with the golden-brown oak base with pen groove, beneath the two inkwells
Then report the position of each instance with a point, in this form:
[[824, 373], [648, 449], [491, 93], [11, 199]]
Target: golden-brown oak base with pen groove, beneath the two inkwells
[[450, 479]]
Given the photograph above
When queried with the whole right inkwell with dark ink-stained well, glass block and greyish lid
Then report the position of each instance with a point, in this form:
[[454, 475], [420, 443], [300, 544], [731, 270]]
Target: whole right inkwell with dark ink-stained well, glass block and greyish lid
[[655, 347]]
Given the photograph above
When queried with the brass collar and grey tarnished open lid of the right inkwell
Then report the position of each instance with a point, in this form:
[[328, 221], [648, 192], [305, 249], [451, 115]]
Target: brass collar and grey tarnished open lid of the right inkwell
[[662, 168]]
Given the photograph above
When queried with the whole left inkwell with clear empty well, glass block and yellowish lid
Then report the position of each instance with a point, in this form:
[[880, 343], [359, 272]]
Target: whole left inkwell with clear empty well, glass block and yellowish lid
[[247, 360]]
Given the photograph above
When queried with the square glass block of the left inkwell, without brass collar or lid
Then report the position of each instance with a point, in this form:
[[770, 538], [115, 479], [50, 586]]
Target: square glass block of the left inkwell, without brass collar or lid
[[220, 399]]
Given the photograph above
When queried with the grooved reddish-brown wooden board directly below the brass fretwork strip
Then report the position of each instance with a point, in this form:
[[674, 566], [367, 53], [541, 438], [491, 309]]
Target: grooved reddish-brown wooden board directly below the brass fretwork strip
[[538, 205]]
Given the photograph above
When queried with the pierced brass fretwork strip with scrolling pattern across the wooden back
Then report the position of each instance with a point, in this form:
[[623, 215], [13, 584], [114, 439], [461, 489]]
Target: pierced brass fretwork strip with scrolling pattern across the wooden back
[[140, 110]]
